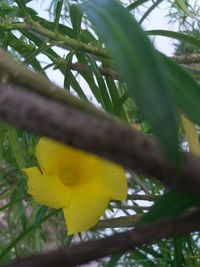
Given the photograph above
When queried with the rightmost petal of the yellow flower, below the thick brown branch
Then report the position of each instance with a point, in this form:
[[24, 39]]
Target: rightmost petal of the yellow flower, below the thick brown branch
[[112, 177]]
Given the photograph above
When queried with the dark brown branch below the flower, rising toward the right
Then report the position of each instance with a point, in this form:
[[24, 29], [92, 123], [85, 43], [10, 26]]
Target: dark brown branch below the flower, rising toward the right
[[118, 243]]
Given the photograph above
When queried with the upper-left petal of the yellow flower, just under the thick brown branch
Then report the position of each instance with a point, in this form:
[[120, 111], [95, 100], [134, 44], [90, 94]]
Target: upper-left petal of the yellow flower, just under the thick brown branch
[[53, 156]]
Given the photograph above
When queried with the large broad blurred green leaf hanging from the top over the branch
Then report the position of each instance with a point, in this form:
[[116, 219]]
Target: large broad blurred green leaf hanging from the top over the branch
[[141, 67]]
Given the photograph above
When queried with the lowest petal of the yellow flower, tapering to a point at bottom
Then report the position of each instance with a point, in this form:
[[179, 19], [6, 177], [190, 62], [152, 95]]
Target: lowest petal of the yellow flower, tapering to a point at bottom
[[88, 203]]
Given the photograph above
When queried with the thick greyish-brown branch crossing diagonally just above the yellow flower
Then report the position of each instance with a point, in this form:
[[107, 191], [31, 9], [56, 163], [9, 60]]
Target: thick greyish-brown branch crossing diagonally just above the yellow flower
[[110, 139]]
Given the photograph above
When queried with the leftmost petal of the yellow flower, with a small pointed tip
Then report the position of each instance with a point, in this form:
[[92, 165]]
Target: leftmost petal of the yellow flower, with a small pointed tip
[[47, 189]]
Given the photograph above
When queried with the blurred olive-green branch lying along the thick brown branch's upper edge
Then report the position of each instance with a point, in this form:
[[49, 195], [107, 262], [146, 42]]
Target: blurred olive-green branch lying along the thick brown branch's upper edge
[[16, 73]]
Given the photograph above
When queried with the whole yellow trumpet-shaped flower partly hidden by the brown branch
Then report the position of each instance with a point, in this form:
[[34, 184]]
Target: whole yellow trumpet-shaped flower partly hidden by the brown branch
[[79, 183]]
